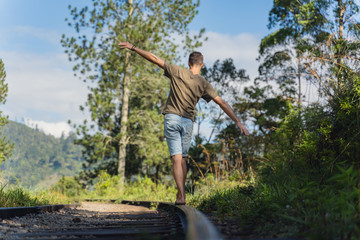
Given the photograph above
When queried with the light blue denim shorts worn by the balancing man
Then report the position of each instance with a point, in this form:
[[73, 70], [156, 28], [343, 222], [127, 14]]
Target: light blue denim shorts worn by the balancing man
[[178, 133]]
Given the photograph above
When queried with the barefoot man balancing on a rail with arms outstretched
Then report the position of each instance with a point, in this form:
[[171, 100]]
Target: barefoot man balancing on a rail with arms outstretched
[[187, 87]]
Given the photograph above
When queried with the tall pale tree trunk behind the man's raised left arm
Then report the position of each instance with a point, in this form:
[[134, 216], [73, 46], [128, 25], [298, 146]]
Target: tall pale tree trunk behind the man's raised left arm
[[124, 112]]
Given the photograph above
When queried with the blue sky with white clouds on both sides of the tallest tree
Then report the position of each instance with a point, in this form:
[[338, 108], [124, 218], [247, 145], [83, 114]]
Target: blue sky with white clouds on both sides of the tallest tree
[[42, 87]]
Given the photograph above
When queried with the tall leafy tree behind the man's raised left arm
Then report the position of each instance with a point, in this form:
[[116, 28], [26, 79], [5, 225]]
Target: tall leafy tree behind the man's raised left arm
[[126, 93]]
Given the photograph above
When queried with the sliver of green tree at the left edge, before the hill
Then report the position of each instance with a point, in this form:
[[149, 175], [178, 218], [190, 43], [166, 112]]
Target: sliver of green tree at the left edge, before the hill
[[5, 146]]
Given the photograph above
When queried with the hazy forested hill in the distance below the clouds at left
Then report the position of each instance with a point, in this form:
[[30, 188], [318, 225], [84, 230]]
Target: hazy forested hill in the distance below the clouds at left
[[39, 160]]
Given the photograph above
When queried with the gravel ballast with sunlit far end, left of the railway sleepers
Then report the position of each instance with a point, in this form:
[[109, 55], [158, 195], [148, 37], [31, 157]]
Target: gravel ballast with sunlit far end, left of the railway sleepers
[[87, 214]]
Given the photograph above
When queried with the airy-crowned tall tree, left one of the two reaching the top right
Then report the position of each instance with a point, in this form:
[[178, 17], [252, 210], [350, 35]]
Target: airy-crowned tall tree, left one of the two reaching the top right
[[299, 27]]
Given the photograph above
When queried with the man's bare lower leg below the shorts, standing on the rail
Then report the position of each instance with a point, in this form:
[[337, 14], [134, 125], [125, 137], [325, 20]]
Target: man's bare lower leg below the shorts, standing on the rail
[[179, 171]]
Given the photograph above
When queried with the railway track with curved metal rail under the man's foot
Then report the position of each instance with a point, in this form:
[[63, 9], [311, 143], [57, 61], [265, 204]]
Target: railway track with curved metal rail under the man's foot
[[151, 220]]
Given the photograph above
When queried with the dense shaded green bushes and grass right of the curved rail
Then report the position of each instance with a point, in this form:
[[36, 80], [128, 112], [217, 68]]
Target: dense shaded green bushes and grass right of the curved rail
[[301, 188]]
